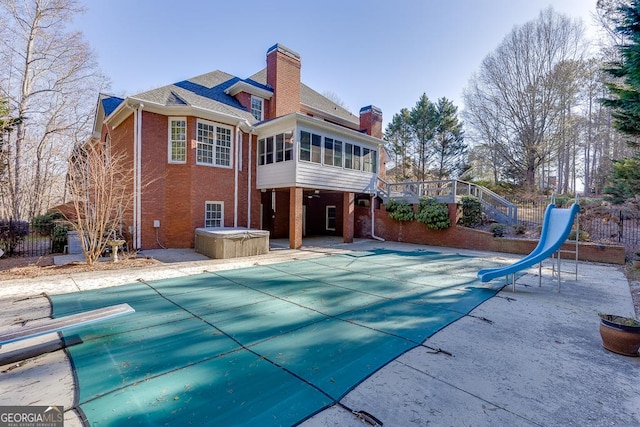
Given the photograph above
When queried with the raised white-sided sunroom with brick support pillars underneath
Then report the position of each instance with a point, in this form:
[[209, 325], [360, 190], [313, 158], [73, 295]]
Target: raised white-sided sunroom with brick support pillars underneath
[[310, 172]]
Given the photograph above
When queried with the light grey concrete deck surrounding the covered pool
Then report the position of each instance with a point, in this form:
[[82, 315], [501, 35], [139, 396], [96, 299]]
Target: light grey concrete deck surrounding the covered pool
[[533, 357]]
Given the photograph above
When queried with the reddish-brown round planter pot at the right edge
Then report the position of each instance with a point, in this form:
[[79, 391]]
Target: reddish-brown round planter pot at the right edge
[[620, 334]]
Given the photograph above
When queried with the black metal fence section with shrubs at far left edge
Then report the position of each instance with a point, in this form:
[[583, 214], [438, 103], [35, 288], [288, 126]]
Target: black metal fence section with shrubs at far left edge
[[20, 239]]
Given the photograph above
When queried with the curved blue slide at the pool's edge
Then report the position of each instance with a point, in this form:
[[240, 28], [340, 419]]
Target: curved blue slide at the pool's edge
[[556, 227]]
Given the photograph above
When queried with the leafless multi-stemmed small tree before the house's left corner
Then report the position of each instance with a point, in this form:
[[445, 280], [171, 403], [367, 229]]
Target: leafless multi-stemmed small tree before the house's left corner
[[100, 185]]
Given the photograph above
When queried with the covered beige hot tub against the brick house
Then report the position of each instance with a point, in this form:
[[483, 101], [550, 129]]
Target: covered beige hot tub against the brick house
[[229, 242]]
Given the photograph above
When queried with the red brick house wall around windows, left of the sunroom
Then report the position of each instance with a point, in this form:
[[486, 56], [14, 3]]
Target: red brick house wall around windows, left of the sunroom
[[175, 194]]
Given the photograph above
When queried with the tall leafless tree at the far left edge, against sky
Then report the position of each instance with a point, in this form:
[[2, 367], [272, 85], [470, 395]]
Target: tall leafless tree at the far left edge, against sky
[[49, 78]]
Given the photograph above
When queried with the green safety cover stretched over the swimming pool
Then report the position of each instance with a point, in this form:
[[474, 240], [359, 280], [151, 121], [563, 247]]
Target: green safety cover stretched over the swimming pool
[[266, 345]]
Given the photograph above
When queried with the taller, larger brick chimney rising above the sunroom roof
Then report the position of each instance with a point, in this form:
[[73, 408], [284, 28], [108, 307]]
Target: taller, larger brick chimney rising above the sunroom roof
[[283, 75]]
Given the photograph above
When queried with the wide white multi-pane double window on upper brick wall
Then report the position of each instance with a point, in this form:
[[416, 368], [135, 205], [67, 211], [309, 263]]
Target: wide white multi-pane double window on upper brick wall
[[214, 144]]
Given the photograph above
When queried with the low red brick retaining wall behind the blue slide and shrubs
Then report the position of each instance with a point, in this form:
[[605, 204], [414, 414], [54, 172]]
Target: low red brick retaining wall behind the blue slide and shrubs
[[465, 238]]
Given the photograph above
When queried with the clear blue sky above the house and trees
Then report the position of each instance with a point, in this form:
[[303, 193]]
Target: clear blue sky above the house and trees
[[385, 53]]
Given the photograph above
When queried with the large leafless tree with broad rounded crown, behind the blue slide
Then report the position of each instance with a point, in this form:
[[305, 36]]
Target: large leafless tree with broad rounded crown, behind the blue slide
[[518, 86]]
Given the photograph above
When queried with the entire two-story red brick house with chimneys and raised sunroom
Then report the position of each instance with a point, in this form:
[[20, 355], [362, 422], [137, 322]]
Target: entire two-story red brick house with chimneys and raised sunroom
[[264, 152]]
